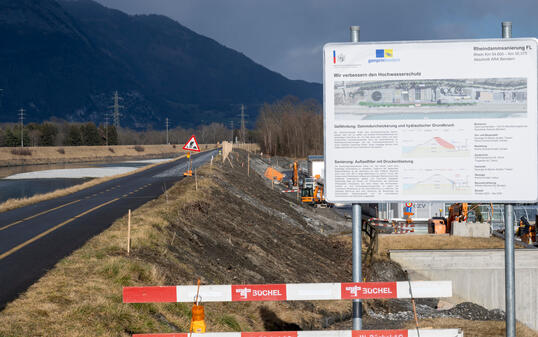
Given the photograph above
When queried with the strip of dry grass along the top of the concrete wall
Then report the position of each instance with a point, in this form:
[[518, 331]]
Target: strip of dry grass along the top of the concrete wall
[[387, 242]]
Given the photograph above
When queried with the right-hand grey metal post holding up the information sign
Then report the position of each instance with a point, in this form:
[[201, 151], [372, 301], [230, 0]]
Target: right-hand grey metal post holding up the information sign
[[509, 260]]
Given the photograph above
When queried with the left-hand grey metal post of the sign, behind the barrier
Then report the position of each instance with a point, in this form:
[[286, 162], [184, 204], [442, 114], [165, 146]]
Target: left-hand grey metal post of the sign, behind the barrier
[[356, 232]]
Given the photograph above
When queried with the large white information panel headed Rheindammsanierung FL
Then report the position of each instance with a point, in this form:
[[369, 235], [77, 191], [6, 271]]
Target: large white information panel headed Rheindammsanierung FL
[[431, 121]]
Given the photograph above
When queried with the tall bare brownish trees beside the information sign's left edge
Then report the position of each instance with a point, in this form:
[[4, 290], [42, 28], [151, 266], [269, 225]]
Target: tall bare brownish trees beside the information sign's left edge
[[290, 127]]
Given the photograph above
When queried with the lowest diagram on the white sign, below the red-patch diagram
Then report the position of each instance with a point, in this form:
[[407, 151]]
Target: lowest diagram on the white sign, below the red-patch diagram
[[425, 182]]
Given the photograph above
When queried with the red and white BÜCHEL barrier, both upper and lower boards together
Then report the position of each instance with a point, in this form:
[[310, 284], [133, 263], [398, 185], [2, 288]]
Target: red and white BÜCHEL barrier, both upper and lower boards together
[[296, 292]]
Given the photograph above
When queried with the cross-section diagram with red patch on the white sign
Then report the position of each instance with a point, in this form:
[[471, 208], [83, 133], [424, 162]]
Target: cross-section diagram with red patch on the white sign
[[436, 147]]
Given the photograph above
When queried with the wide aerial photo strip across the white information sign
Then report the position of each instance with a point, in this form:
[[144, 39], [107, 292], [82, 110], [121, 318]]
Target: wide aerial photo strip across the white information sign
[[470, 98]]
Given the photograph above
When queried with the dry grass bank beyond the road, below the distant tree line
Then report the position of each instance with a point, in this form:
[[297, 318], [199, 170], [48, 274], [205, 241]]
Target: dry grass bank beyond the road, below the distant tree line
[[75, 154]]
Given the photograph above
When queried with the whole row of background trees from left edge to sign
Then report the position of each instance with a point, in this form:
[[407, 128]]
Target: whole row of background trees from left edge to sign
[[288, 127]]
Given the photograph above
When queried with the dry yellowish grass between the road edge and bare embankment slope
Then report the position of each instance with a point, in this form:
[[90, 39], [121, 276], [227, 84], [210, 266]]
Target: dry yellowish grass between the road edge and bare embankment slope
[[81, 296]]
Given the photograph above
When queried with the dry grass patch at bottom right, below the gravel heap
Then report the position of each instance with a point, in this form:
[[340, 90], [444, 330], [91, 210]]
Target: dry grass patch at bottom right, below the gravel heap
[[473, 328]]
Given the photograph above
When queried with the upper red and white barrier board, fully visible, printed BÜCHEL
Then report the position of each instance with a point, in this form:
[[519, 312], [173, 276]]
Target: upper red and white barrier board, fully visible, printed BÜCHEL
[[288, 292]]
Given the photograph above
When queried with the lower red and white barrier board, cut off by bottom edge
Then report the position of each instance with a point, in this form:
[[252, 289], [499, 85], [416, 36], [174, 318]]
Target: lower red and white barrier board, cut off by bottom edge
[[327, 333]]
